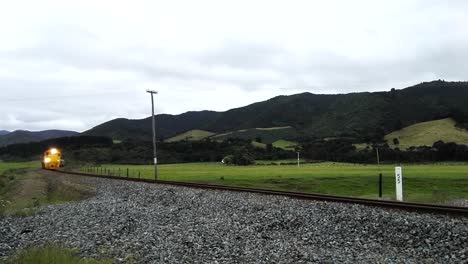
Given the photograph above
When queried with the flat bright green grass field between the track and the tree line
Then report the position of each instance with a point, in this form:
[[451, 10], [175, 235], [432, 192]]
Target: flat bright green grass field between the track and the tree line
[[423, 183]]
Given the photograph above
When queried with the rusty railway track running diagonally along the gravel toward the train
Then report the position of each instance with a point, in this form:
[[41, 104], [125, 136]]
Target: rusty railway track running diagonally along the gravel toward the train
[[433, 208]]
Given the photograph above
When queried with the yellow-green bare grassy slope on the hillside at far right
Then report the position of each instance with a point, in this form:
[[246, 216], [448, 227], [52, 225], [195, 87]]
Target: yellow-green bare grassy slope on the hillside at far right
[[426, 133]]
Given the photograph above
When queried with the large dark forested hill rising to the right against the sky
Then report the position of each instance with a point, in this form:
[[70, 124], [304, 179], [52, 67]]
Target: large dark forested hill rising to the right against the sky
[[360, 115]]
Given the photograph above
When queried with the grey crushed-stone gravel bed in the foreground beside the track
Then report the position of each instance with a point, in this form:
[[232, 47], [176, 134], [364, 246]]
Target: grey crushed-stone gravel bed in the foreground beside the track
[[165, 224]]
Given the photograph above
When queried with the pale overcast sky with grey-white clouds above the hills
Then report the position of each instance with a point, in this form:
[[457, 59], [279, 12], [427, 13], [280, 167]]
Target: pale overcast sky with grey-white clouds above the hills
[[75, 64]]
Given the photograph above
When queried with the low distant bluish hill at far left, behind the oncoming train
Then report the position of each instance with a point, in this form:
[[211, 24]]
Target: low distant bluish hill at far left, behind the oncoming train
[[23, 136]]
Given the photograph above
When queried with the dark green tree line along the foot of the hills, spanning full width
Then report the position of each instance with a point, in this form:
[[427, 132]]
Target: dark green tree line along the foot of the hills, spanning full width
[[94, 149]]
